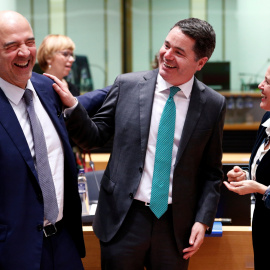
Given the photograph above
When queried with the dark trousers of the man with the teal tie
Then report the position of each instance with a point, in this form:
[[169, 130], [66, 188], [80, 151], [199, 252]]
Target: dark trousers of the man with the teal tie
[[143, 241]]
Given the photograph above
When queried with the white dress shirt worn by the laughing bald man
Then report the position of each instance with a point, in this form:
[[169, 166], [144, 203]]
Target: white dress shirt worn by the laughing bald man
[[53, 142]]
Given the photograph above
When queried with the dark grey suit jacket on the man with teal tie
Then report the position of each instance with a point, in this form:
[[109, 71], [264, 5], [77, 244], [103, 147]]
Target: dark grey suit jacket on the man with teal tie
[[126, 114]]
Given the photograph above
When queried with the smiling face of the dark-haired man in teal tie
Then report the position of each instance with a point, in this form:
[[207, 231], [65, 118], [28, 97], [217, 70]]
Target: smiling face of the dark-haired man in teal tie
[[177, 59]]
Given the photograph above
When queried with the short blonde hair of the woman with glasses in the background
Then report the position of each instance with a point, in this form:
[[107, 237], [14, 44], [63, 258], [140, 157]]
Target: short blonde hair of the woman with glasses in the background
[[50, 45]]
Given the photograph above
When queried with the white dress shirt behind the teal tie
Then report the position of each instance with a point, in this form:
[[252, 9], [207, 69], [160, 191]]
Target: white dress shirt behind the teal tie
[[181, 99]]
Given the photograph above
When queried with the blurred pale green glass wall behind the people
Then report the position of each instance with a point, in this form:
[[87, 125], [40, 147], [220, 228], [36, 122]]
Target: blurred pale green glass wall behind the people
[[119, 36]]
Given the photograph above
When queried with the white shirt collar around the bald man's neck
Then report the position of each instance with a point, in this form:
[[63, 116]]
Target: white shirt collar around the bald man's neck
[[13, 92]]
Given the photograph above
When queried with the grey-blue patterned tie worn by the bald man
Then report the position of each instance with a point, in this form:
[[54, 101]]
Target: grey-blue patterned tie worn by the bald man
[[42, 162]]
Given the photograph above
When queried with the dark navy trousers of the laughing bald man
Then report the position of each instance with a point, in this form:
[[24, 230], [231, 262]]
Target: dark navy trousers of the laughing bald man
[[60, 253]]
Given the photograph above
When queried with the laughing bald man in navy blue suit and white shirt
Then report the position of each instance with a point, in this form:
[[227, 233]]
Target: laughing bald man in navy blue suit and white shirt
[[23, 222]]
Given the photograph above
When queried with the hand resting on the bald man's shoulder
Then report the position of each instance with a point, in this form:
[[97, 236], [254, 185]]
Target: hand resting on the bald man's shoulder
[[61, 89]]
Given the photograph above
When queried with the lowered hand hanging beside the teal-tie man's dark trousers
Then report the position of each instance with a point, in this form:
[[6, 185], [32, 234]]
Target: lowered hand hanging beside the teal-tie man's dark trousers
[[195, 240]]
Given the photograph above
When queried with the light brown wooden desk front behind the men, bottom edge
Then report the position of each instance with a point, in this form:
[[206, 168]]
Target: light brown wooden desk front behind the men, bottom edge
[[231, 251]]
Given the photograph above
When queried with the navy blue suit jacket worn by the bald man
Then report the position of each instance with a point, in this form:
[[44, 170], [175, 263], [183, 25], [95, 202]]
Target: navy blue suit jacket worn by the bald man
[[21, 205]]
